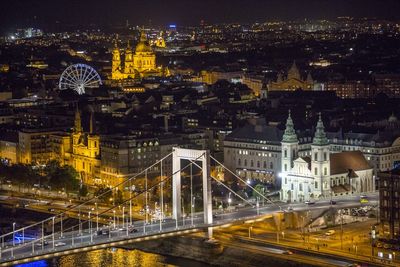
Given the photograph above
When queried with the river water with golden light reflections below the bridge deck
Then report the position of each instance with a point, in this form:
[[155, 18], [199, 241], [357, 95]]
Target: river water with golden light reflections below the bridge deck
[[114, 257]]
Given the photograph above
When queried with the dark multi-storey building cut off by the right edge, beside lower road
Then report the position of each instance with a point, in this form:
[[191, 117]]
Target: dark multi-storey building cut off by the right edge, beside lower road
[[389, 203]]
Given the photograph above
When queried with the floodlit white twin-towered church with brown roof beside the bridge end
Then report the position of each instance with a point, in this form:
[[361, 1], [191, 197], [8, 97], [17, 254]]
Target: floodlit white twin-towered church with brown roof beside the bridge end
[[321, 174]]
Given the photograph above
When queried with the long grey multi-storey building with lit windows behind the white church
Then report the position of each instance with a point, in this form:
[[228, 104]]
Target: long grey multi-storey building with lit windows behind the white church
[[261, 144]]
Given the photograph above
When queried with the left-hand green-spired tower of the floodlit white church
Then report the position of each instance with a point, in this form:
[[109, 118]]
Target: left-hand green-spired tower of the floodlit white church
[[290, 146]]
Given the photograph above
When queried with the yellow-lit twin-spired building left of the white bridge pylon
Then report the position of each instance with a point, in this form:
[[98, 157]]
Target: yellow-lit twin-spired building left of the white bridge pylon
[[85, 156]]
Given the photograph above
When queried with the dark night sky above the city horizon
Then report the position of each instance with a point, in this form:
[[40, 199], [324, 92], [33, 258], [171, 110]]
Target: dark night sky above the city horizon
[[17, 13]]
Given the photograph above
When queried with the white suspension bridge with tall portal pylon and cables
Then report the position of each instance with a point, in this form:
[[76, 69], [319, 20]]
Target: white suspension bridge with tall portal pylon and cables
[[89, 234]]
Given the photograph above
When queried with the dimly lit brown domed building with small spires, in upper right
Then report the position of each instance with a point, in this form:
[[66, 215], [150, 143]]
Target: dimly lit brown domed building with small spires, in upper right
[[292, 82]]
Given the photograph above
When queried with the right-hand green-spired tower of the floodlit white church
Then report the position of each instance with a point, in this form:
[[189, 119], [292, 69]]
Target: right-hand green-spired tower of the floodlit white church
[[320, 162]]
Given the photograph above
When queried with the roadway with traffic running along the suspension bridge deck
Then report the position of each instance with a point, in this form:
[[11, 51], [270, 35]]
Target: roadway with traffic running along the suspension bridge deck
[[71, 241]]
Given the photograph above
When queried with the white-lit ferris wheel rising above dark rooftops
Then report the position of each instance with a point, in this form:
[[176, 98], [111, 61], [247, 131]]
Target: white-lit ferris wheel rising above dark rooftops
[[78, 77]]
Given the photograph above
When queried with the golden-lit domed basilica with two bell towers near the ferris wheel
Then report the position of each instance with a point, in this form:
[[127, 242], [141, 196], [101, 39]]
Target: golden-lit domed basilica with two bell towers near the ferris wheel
[[138, 64]]
